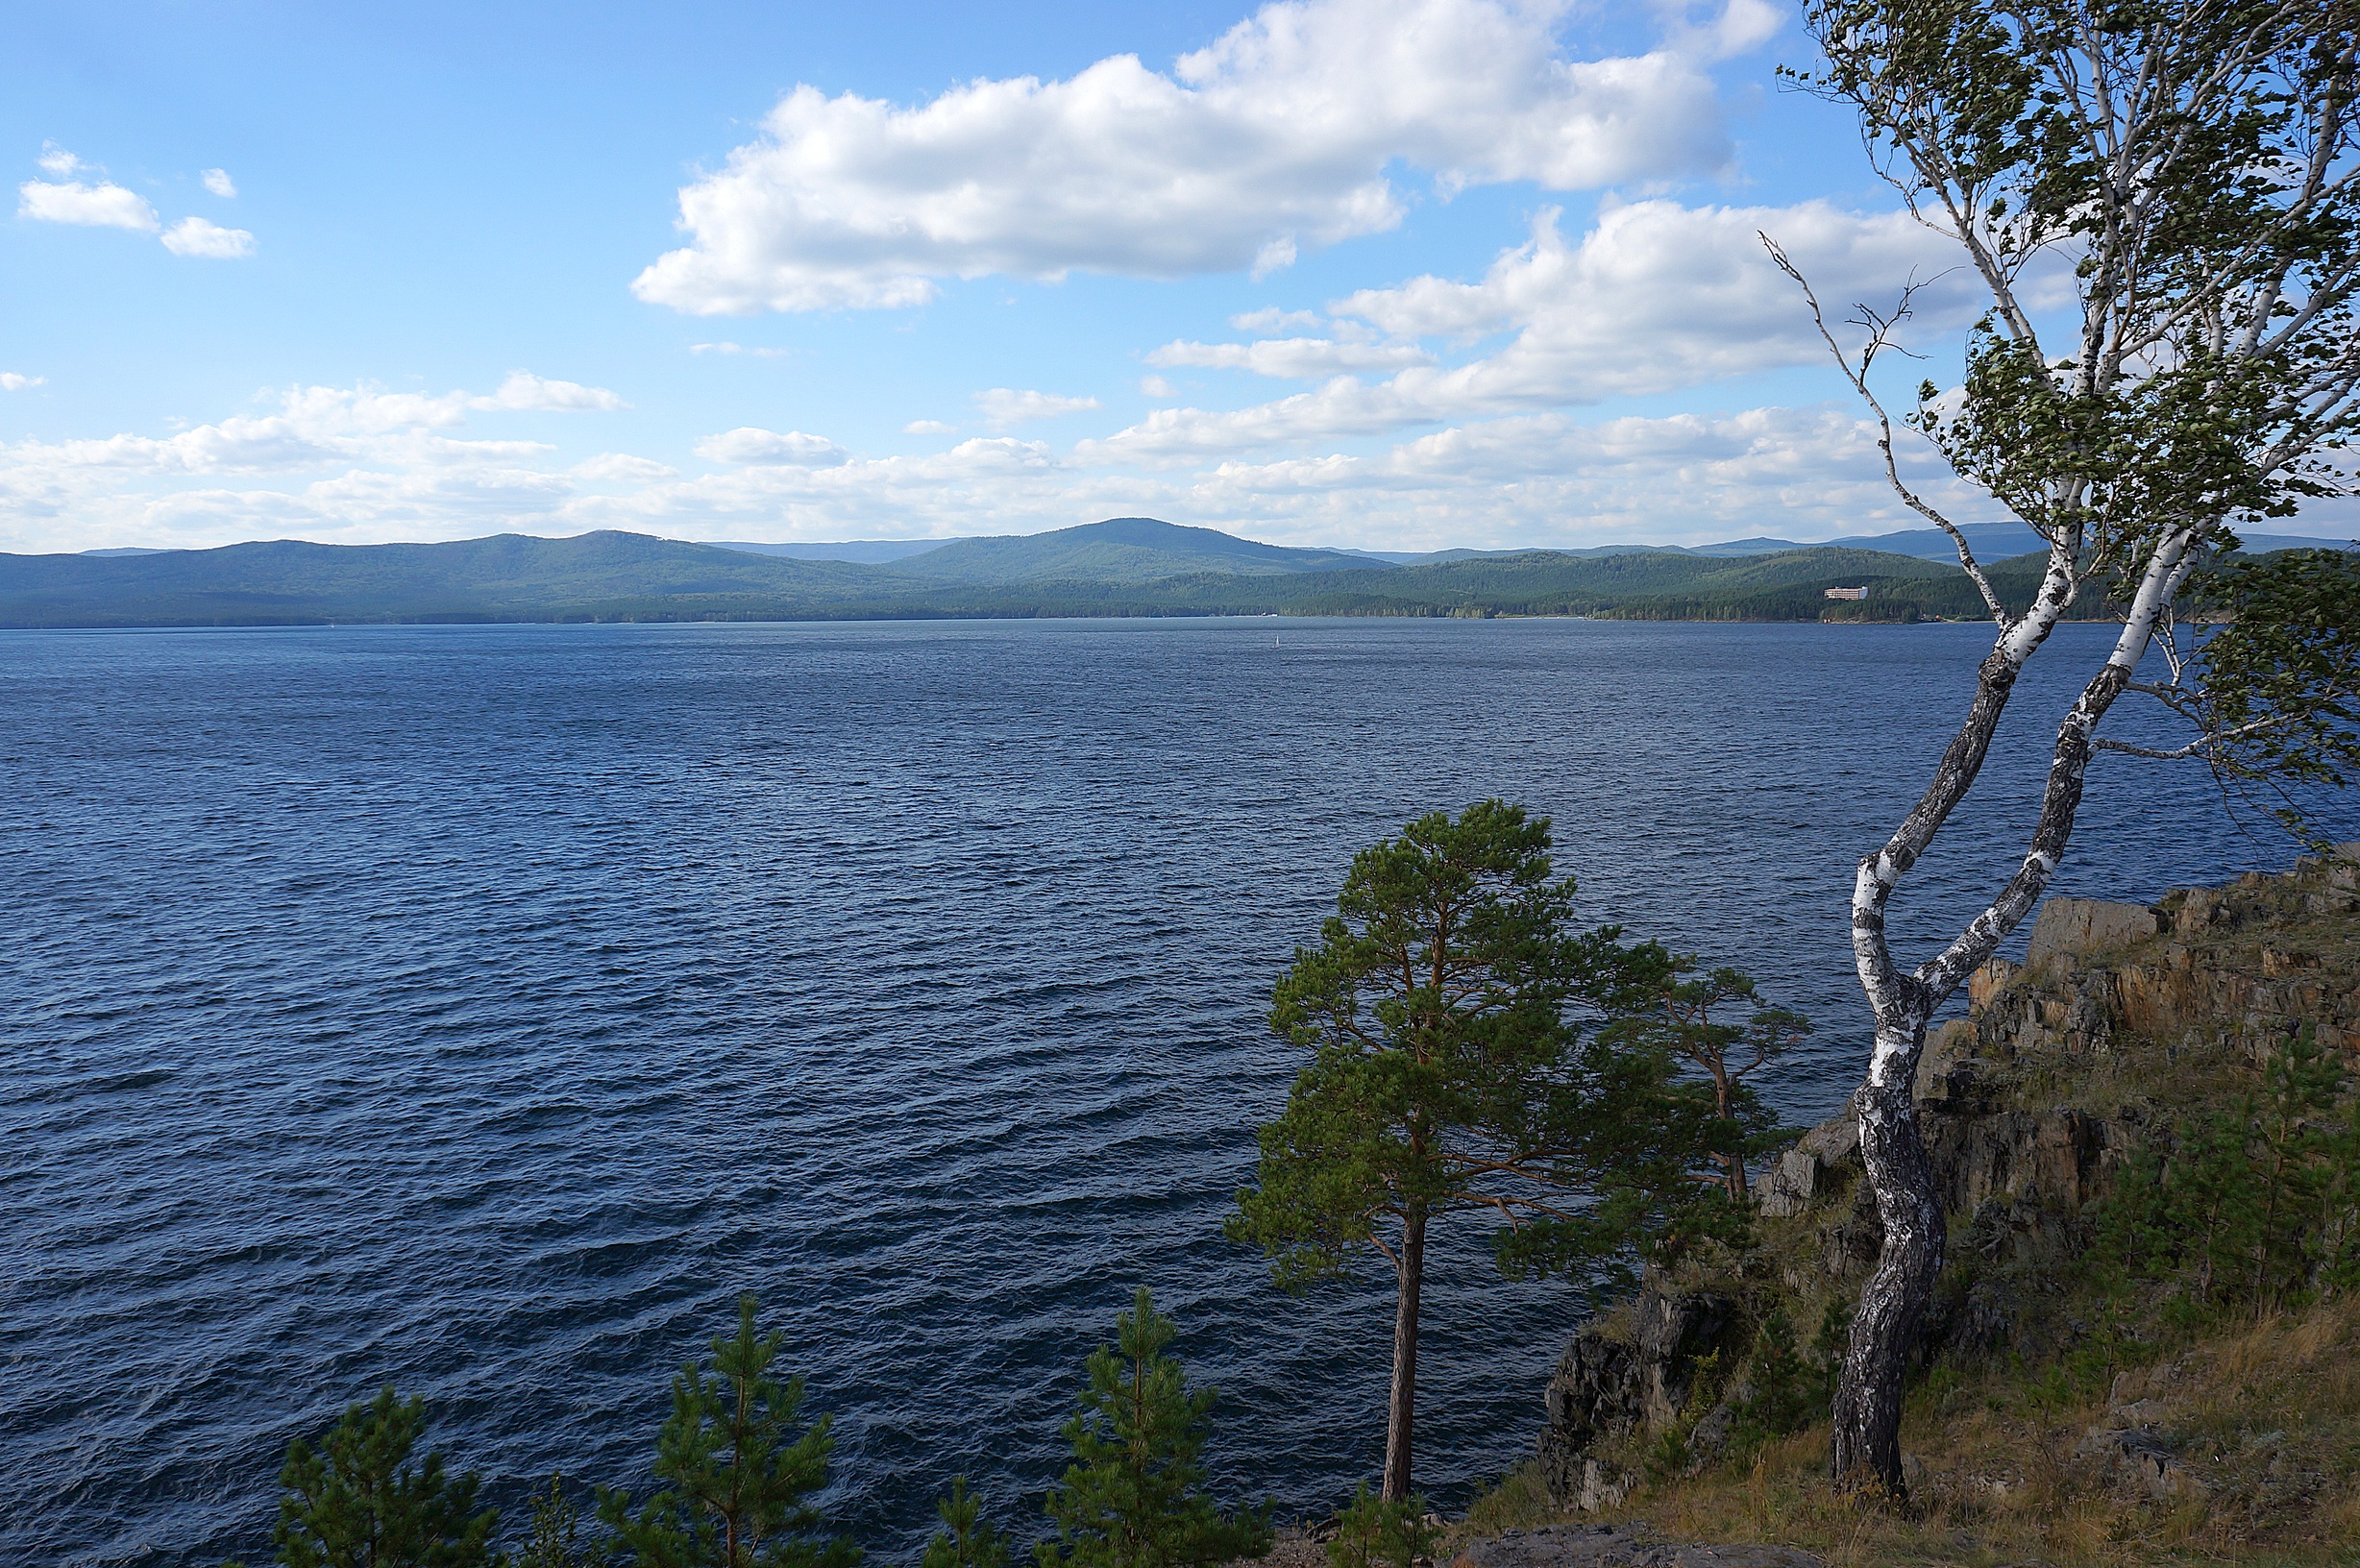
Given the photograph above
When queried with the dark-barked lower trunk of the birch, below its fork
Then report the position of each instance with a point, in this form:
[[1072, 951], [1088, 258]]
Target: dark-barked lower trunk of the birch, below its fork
[[1868, 1416]]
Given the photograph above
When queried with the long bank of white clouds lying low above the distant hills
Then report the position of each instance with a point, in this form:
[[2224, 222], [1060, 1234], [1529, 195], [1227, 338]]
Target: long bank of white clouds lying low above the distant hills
[[1653, 296]]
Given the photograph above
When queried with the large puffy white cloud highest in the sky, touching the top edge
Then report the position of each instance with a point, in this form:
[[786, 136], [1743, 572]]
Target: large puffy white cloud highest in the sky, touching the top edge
[[1276, 138]]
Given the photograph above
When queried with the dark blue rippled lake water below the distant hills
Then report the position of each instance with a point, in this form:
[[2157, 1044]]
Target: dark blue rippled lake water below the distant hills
[[483, 1010]]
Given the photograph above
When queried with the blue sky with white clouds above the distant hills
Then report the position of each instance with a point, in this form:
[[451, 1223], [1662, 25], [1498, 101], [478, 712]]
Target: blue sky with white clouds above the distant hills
[[1396, 275]]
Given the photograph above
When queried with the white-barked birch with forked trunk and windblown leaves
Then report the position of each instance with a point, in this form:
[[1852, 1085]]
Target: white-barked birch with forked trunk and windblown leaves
[[2158, 200]]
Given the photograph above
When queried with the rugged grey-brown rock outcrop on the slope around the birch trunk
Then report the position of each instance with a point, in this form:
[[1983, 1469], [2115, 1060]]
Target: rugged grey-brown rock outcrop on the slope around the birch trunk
[[2205, 972]]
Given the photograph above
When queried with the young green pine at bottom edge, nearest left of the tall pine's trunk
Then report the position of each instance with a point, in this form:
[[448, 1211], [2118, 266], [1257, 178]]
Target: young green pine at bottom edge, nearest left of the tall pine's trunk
[[1134, 1494]]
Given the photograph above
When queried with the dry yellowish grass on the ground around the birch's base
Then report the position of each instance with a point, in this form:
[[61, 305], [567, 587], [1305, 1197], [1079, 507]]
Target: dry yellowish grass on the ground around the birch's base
[[2267, 1423]]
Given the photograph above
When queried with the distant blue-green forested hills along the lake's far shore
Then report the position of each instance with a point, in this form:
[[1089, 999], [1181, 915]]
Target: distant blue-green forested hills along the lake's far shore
[[1125, 566]]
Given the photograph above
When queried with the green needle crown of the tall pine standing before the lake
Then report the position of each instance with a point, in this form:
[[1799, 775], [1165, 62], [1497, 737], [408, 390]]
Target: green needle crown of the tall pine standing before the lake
[[1453, 1071]]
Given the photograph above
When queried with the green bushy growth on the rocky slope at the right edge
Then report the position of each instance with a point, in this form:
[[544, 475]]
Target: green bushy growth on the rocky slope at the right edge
[[2255, 1206]]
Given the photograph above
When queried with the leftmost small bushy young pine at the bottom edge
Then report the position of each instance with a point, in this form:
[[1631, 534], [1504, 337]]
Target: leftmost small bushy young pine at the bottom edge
[[360, 1503]]
